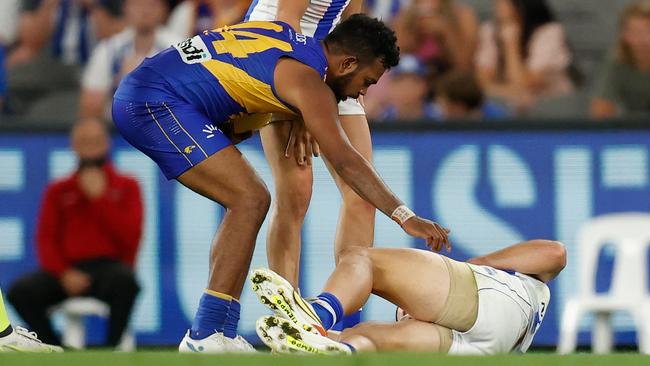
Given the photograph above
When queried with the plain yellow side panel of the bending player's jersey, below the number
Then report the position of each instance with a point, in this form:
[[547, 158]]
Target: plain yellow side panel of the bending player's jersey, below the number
[[253, 95]]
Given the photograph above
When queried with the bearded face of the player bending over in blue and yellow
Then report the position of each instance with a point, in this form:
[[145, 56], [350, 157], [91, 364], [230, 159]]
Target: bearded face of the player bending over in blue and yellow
[[354, 83]]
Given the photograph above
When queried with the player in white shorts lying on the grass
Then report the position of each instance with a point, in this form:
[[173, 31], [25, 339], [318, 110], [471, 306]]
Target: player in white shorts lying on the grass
[[490, 304]]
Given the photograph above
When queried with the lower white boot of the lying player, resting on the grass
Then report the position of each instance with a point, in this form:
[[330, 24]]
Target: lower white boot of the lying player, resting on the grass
[[284, 336]]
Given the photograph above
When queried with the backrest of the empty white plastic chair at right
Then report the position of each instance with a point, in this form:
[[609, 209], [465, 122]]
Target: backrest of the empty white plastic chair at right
[[629, 233]]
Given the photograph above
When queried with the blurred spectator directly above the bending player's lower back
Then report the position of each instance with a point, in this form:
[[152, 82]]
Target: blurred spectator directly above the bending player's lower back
[[194, 16]]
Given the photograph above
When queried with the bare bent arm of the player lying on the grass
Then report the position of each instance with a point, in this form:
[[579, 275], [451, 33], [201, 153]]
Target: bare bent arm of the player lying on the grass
[[543, 259]]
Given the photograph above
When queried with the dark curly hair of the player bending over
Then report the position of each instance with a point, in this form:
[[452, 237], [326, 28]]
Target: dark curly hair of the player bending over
[[365, 38]]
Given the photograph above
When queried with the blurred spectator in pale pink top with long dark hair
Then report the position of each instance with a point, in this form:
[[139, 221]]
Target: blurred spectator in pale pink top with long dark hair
[[523, 54]]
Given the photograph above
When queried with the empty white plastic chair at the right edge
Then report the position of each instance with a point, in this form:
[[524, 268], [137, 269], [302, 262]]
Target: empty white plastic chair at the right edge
[[629, 233]]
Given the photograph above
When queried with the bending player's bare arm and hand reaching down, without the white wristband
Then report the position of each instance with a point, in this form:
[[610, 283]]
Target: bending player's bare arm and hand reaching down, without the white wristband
[[302, 87]]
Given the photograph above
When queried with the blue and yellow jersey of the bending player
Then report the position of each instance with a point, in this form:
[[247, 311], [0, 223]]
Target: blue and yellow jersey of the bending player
[[224, 73]]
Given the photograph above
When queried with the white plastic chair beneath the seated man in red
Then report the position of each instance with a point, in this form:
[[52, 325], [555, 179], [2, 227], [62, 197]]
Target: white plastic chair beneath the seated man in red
[[74, 310]]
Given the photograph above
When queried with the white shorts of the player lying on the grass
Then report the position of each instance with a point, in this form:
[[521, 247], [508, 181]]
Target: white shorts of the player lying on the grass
[[504, 313]]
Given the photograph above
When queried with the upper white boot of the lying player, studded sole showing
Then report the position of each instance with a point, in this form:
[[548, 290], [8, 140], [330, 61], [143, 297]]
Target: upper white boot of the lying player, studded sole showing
[[278, 295]]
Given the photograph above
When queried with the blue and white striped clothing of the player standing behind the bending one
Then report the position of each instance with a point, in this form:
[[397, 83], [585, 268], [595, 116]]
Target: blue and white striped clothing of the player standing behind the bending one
[[321, 16]]
